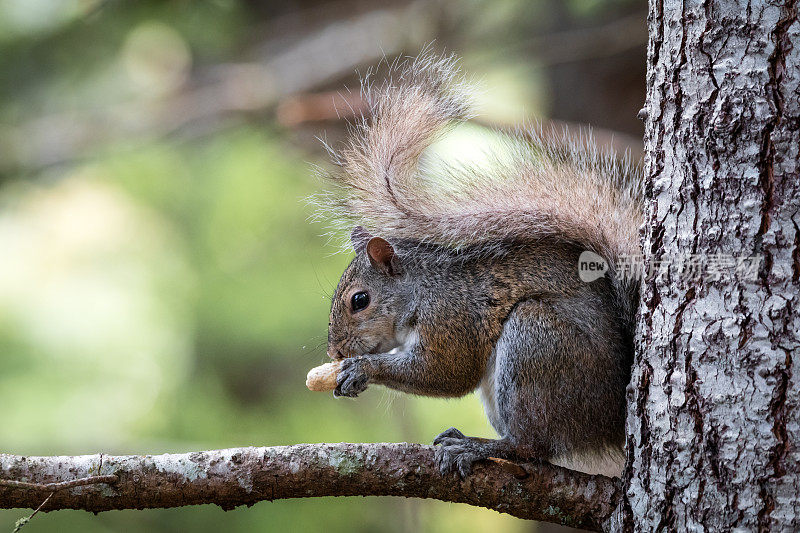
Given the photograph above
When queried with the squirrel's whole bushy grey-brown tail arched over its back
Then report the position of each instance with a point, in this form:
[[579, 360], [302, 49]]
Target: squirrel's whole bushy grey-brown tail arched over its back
[[539, 186]]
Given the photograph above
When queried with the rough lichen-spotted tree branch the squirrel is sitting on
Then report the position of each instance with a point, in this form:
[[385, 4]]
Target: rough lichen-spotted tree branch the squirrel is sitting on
[[244, 476]]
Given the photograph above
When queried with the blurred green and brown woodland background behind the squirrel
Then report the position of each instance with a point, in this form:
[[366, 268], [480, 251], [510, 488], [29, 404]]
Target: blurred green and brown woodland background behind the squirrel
[[162, 288]]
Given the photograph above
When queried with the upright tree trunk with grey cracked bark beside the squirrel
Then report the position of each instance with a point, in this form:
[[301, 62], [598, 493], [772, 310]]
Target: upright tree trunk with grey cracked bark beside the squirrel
[[713, 423]]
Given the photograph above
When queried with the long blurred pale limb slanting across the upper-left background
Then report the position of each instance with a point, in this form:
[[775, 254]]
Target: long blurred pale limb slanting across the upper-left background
[[217, 93]]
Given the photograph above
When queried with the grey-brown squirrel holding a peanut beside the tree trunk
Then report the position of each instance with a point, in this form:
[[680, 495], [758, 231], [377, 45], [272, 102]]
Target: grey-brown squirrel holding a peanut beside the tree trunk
[[468, 279]]
